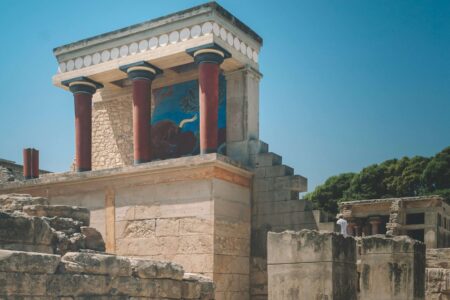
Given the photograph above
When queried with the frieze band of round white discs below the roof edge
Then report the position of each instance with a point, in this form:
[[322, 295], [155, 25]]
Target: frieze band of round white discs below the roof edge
[[162, 40]]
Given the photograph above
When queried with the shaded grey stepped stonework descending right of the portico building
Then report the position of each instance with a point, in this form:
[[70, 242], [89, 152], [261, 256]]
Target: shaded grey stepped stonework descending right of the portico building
[[275, 207]]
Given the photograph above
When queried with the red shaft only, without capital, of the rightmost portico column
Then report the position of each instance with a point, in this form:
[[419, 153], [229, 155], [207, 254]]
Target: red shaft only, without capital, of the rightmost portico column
[[208, 78]]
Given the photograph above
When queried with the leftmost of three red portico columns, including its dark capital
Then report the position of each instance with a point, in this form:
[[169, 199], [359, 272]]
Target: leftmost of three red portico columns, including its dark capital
[[83, 88]]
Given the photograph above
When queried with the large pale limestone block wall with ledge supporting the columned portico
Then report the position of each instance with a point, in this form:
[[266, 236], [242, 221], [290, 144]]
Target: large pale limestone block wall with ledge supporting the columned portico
[[194, 211]]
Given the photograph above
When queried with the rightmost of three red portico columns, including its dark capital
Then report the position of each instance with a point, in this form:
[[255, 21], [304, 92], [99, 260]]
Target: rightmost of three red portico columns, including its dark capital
[[208, 58]]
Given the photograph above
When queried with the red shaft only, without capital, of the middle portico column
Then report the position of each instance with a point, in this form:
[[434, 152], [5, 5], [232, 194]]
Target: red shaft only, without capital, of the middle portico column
[[142, 120]]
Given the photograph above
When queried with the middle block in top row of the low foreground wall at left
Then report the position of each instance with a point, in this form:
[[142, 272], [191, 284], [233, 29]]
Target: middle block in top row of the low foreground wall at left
[[94, 263]]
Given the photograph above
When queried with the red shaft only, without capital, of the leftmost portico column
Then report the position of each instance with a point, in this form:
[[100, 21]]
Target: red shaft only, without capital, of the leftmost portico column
[[83, 131]]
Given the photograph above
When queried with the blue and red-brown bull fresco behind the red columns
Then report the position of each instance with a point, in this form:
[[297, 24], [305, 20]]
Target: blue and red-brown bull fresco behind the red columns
[[175, 120]]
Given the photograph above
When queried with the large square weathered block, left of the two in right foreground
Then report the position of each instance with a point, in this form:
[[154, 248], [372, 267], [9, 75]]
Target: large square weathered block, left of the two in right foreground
[[311, 265]]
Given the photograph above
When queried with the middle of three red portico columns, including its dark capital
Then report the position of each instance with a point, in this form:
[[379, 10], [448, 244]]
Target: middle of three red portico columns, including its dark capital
[[141, 75]]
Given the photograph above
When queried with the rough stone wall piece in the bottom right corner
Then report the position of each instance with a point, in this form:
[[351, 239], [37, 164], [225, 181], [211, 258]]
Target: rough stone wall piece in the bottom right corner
[[438, 274]]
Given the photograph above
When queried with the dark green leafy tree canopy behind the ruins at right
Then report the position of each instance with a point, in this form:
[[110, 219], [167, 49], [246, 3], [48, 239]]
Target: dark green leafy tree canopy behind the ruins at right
[[405, 177]]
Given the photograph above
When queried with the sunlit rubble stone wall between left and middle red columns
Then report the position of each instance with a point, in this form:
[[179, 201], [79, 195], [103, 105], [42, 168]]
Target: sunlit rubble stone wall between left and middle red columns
[[112, 129]]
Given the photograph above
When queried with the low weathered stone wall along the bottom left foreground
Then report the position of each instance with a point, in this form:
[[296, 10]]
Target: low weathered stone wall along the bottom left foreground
[[30, 275]]
